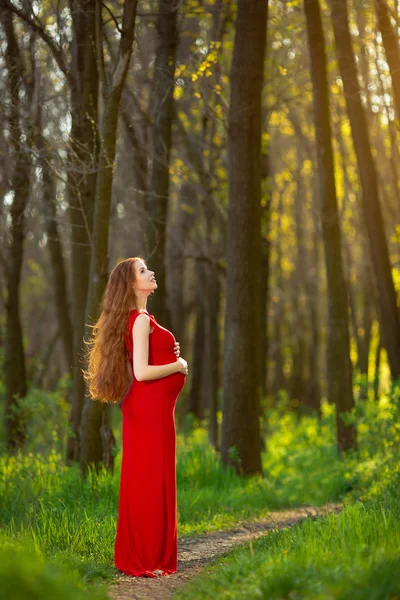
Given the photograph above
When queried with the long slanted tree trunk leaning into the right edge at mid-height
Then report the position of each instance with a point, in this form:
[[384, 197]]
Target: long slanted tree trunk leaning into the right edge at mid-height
[[389, 315]]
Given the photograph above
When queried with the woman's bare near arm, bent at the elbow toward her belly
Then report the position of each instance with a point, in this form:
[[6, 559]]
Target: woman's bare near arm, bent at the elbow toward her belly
[[141, 368]]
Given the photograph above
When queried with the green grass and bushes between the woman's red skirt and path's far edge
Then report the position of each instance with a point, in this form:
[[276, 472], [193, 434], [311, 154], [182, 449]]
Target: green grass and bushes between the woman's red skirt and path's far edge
[[300, 464]]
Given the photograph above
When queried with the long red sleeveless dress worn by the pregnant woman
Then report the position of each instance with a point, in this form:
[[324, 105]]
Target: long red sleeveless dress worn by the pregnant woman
[[147, 529]]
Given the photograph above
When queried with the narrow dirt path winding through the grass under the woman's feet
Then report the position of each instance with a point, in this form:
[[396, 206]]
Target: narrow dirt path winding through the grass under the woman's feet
[[195, 552]]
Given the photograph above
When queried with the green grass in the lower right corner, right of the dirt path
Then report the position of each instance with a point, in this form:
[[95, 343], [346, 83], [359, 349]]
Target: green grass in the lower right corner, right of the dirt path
[[353, 555]]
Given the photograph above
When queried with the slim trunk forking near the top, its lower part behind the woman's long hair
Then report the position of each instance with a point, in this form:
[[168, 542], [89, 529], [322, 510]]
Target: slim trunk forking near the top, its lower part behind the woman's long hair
[[97, 440]]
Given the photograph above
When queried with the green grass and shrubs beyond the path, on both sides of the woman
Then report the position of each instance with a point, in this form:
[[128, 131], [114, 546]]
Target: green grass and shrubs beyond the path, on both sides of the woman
[[74, 519]]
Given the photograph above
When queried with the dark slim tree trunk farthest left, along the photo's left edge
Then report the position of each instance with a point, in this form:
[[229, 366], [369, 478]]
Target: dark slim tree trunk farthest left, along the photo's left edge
[[19, 183]]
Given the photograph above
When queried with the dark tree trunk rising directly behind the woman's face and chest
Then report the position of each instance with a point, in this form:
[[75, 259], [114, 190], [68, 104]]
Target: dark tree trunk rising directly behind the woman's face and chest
[[158, 200]]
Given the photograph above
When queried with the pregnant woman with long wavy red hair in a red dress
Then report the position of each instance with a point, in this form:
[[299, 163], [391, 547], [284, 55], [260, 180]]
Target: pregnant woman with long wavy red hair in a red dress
[[146, 541]]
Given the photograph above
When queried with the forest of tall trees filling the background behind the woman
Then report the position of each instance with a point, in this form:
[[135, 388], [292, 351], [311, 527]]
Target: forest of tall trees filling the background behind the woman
[[249, 151]]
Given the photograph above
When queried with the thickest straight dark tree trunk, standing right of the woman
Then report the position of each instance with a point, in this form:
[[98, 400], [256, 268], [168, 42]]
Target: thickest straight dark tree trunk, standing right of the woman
[[241, 397]]
